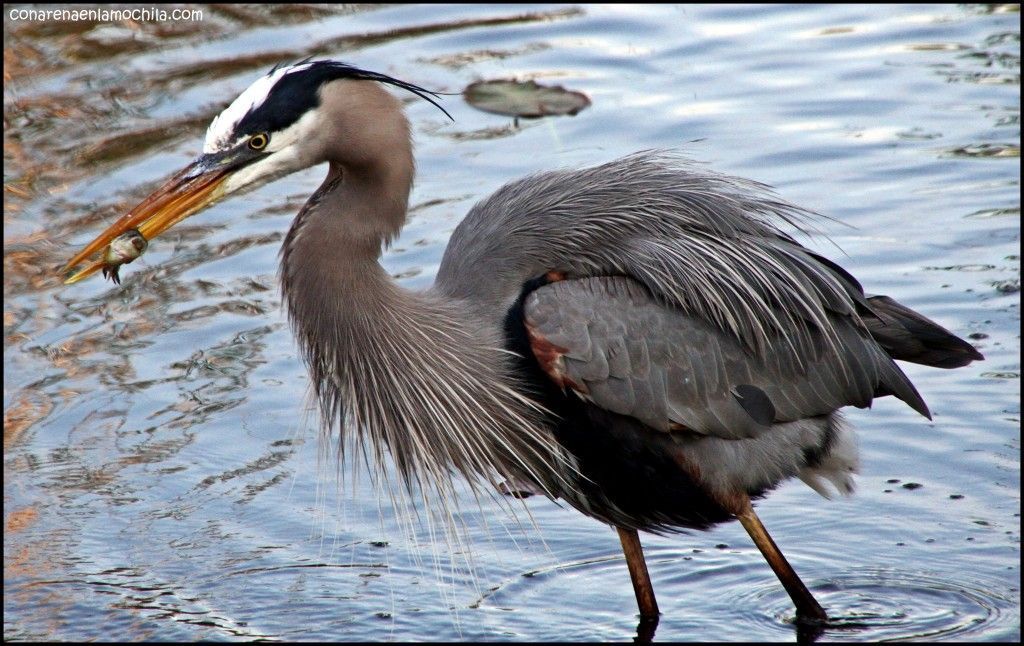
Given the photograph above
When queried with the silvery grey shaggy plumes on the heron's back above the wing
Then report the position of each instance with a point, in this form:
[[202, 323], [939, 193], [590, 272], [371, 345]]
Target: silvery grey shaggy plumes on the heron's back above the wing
[[699, 240]]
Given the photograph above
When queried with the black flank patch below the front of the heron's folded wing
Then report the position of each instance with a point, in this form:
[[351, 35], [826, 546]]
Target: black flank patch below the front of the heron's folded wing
[[632, 477]]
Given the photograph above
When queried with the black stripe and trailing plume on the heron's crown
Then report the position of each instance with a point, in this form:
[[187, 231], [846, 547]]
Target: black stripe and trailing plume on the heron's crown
[[297, 93]]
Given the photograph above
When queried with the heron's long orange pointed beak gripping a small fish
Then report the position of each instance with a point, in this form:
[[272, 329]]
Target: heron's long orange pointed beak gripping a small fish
[[195, 188]]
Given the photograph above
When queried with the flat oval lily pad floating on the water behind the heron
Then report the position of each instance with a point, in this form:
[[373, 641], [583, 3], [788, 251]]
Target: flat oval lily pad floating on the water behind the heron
[[524, 99]]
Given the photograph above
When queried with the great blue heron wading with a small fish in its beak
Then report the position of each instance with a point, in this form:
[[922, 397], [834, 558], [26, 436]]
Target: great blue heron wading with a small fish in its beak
[[639, 339]]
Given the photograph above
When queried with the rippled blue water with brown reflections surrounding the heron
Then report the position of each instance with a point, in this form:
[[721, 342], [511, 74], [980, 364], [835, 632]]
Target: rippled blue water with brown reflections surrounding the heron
[[161, 481]]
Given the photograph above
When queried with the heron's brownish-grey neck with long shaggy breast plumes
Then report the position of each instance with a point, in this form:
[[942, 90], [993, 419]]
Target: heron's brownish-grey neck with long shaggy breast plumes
[[404, 372]]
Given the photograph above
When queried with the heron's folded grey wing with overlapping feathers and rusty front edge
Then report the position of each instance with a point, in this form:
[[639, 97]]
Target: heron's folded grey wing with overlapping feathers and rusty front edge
[[630, 354]]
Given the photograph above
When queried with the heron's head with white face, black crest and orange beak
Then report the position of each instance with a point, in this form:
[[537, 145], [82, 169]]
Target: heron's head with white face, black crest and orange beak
[[292, 118]]
